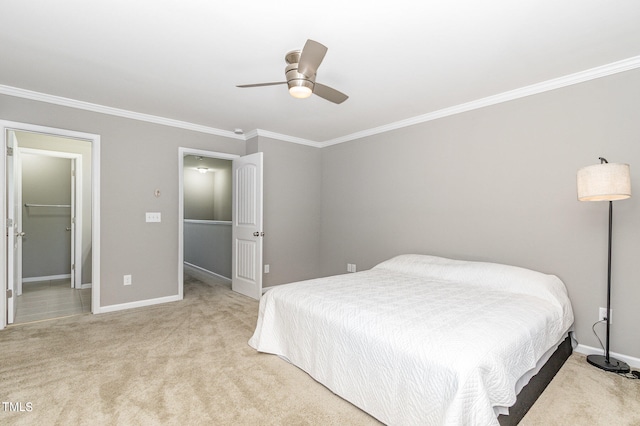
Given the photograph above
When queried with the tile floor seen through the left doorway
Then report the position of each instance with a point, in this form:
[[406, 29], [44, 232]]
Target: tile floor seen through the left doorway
[[51, 299]]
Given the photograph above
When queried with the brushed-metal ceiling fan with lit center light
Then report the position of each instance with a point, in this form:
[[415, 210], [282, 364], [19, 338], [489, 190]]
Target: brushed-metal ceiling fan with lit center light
[[301, 74]]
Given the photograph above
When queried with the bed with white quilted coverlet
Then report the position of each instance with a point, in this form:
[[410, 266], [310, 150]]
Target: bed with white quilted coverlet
[[420, 339]]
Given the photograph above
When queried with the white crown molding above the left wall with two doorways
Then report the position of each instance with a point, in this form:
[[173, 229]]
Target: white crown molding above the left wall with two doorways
[[88, 106]]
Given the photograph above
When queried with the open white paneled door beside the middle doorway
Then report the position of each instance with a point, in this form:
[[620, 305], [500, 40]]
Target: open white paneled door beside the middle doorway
[[247, 233]]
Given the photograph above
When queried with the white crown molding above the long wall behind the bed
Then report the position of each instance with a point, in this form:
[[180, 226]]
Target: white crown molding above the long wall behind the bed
[[534, 89]]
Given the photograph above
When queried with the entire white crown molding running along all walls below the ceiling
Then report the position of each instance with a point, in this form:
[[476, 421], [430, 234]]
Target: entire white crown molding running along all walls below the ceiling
[[533, 89]]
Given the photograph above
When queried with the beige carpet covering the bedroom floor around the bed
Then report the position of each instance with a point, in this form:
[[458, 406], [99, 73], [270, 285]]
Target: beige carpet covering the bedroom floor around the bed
[[189, 362]]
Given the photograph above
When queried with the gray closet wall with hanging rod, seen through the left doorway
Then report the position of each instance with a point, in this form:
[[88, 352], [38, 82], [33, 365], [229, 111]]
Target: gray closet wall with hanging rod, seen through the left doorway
[[46, 246]]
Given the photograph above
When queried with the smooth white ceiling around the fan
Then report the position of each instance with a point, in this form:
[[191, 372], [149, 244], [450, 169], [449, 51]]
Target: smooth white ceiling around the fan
[[397, 60]]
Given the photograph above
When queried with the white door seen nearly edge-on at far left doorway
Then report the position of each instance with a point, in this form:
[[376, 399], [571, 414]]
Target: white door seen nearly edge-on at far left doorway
[[14, 228]]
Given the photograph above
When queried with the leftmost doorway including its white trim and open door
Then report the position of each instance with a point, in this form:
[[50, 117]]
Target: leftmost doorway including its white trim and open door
[[80, 153]]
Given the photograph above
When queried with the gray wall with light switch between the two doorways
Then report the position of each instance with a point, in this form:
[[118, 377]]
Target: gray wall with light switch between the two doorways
[[136, 159]]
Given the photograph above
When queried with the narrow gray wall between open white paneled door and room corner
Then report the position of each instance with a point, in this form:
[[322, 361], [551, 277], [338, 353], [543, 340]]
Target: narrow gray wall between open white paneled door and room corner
[[292, 205]]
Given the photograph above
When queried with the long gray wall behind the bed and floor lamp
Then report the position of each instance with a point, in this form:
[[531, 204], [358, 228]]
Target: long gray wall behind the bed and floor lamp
[[499, 184]]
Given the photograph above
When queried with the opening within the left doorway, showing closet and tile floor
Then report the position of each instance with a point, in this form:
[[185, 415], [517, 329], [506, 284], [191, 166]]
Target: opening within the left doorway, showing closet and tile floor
[[49, 187]]
